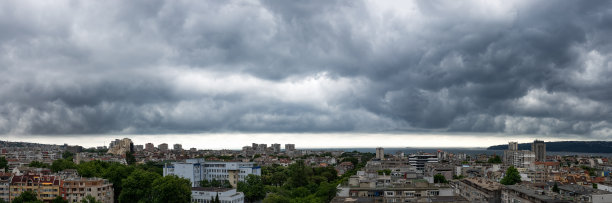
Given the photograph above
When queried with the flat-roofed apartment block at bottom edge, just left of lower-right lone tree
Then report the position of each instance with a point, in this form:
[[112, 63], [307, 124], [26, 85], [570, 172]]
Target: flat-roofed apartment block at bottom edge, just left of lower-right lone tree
[[478, 190]]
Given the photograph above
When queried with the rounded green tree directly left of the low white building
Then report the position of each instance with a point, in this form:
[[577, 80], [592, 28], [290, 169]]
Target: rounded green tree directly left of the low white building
[[171, 189]]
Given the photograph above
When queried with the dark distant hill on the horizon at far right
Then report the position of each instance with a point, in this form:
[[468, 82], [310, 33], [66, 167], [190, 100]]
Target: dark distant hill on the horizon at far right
[[566, 146]]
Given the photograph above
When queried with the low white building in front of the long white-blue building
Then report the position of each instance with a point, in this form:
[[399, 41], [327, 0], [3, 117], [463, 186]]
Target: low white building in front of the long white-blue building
[[226, 195]]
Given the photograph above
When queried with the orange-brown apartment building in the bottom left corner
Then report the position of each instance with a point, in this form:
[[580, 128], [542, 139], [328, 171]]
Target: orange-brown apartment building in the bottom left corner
[[46, 187]]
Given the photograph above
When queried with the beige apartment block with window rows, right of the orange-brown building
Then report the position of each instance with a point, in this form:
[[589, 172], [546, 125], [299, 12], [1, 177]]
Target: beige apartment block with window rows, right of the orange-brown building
[[76, 189]]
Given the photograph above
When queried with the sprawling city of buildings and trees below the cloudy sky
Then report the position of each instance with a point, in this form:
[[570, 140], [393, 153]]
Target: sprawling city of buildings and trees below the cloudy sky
[[144, 172]]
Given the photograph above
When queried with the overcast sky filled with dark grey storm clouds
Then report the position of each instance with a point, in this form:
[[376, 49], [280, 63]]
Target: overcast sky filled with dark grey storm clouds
[[318, 73]]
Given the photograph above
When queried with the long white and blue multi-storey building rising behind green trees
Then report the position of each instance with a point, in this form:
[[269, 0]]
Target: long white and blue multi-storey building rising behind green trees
[[197, 170]]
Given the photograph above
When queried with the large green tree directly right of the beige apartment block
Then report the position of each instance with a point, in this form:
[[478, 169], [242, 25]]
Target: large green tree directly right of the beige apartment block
[[137, 186]]
